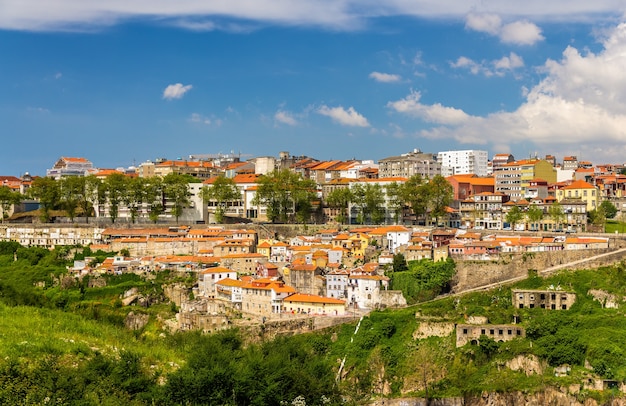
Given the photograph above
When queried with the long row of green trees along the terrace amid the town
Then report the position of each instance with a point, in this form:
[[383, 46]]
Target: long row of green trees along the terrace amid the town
[[287, 196]]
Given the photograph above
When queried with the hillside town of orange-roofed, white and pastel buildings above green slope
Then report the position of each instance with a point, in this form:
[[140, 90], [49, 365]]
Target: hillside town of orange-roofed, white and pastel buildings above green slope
[[243, 270]]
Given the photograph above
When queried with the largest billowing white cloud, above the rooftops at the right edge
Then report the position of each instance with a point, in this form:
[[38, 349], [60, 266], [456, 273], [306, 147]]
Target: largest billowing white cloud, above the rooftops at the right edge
[[580, 105]]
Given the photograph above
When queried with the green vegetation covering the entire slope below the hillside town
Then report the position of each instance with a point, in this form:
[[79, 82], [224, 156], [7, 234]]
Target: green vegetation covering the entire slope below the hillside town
[[65, 343]]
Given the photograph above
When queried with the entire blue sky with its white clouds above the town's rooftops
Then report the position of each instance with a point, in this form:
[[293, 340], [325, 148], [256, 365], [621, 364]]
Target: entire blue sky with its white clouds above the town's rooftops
[[122, 82]]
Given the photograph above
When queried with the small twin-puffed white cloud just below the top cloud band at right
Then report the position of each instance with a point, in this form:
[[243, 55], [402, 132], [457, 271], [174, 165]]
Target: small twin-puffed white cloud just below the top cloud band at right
[[518, 32]]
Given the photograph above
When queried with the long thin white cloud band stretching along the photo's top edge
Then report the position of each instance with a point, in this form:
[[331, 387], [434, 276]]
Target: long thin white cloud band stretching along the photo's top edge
[[66, 15]]
